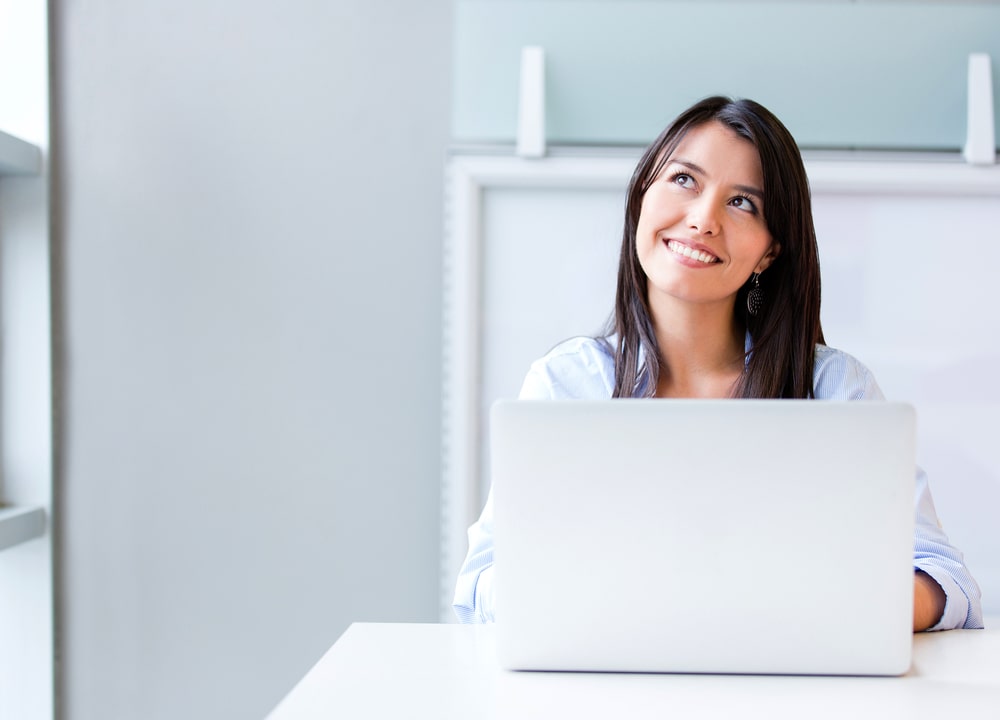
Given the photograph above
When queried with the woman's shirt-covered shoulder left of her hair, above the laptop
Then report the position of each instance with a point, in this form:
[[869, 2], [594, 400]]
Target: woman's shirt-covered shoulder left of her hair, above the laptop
[[577, 368]]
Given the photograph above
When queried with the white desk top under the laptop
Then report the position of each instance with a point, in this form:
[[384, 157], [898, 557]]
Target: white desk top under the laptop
[[449, 671]]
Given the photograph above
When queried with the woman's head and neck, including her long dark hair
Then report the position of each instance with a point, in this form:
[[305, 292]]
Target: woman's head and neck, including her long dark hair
[[695, 186]]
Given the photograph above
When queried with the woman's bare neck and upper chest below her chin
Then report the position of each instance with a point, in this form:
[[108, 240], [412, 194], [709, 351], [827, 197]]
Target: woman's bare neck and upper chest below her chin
[[702, 350]]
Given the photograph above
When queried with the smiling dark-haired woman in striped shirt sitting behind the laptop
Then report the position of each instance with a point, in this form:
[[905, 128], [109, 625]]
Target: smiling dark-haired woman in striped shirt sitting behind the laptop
[[718, 297]]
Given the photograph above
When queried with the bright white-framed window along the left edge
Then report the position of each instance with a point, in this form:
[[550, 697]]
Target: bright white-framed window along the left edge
[[27, 605]]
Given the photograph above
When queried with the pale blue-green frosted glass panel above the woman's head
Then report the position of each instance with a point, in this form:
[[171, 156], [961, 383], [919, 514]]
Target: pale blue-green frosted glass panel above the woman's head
[[889, 75]]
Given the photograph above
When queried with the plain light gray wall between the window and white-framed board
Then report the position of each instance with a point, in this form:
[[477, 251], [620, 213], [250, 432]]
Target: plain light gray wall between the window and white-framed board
[[248, 221]]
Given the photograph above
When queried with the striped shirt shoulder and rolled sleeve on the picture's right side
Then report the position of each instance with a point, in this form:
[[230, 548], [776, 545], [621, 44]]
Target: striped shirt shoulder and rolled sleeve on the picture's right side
[[841, 377]]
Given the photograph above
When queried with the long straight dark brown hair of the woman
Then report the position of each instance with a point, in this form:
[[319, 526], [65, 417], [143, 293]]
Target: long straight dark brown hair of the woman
[[786, 330]]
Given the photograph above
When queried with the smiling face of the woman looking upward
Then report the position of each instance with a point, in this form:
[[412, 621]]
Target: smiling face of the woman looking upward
[[701, 230]]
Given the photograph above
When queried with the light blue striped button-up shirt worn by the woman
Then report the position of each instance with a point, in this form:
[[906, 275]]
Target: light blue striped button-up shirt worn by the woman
[[583, 368]]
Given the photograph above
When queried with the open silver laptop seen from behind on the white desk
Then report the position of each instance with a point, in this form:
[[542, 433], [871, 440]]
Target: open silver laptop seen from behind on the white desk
[[704, 536]]
